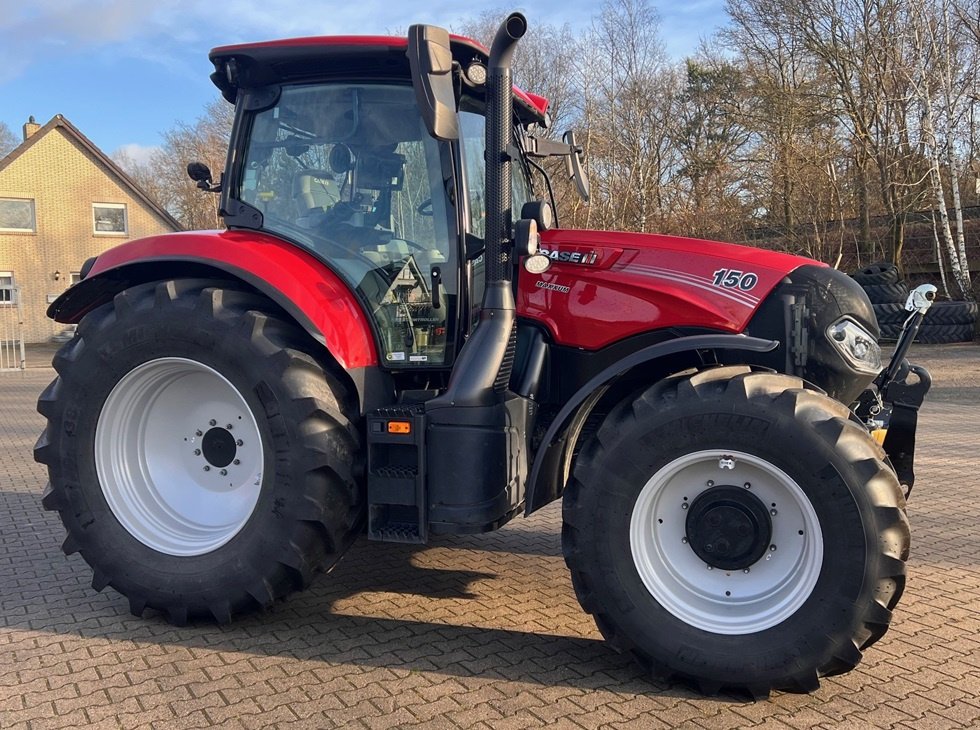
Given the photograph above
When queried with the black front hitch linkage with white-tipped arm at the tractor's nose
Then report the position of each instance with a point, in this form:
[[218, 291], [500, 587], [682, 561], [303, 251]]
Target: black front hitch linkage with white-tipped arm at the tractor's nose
[[891, 403]]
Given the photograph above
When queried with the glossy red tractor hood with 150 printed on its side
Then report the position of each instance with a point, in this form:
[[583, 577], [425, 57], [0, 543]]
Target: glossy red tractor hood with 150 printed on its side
[[606, 286]]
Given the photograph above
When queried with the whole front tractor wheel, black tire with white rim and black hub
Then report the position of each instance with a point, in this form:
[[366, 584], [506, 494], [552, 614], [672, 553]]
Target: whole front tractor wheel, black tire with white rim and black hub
[[738, 530]]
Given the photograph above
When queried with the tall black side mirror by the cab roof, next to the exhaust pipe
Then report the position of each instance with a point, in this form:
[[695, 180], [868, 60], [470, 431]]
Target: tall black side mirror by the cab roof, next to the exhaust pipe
[[431, 62]]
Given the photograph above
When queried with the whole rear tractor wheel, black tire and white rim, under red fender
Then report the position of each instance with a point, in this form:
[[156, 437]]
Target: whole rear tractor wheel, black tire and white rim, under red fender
[[202, 462]]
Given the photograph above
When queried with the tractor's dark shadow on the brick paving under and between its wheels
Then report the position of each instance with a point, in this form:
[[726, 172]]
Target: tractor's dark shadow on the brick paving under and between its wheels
[[378, 608]]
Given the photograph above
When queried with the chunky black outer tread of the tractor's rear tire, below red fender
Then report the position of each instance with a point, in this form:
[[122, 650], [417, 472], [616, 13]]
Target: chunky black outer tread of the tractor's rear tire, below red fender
[[319, 407]]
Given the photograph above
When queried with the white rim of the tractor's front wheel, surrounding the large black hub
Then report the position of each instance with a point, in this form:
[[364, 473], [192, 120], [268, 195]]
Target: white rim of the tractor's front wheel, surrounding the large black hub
[[720, 601]]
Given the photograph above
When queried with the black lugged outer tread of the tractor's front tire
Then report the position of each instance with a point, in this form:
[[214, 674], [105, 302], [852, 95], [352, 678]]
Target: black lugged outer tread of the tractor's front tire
[[832, 421]]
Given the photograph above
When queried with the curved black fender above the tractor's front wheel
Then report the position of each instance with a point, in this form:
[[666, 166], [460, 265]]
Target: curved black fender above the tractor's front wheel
[[552, 462]]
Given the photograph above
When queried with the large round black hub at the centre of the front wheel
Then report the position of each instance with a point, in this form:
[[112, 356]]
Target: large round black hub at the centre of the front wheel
[[728, 527]]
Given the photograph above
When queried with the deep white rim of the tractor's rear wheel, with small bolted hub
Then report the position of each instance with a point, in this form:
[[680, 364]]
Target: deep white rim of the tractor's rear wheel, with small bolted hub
[[174, 474]]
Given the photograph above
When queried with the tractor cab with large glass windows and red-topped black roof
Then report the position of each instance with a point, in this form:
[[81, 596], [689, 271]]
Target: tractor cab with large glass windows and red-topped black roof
[[356, 166]]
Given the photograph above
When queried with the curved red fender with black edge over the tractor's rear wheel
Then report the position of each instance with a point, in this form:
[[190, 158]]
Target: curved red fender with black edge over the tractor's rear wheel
[[305, 288]]
